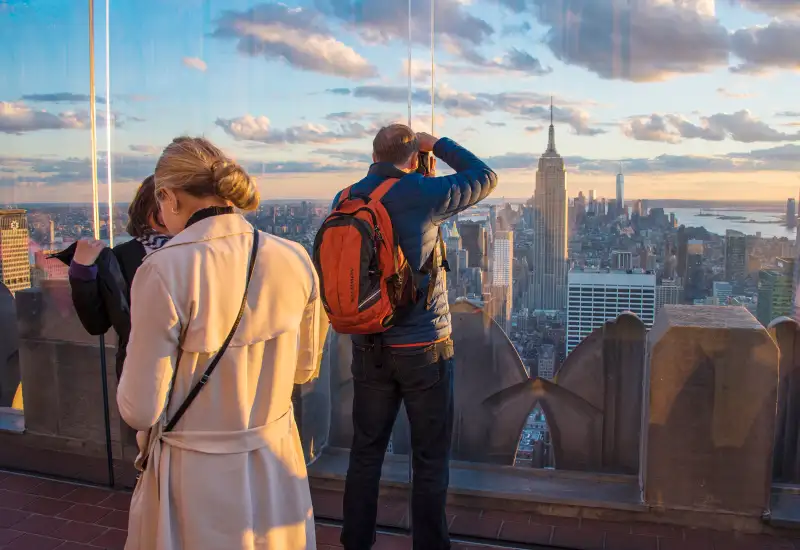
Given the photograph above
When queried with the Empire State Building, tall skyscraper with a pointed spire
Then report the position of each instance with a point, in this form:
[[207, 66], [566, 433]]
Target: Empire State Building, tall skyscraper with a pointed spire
[[550, 237]]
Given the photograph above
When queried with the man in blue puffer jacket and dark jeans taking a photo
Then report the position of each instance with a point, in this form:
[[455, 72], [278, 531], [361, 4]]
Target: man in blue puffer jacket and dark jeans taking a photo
[[413, 361]]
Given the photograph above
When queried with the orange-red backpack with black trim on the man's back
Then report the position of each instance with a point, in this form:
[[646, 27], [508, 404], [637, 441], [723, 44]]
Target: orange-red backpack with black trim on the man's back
[[364, 275]]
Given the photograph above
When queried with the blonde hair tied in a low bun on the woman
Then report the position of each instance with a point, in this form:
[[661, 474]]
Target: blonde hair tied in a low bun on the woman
[[197, 167]]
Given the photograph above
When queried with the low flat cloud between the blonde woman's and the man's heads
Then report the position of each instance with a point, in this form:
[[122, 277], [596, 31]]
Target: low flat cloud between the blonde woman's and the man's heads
[[259, 128]]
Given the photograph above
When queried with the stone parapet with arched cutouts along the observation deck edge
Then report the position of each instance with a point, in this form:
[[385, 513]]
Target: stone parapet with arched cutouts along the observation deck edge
[[678, 422]]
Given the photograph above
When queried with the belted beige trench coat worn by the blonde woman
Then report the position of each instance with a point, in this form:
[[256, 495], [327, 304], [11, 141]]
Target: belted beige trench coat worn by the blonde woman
[[231, 475]]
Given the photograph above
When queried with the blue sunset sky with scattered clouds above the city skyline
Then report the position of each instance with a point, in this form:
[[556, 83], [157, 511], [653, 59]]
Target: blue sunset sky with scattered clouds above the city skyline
[[694, 99]]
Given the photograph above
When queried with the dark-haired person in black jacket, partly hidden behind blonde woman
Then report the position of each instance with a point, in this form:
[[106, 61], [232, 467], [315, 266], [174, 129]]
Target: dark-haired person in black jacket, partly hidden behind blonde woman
[[101, 278]]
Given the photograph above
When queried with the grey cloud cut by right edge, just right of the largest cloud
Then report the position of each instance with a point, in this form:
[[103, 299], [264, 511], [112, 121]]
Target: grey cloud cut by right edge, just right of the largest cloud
[[763, 48]]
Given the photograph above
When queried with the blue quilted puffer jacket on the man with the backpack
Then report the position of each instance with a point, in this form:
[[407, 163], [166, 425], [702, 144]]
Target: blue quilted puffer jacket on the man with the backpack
[[417, 206]]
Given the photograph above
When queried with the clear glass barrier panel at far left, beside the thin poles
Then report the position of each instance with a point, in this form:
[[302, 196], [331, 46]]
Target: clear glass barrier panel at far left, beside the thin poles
[[46, 204]]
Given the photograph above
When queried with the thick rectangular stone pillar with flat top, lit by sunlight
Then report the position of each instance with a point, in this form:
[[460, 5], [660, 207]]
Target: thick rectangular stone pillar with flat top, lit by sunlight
[[709, 415]]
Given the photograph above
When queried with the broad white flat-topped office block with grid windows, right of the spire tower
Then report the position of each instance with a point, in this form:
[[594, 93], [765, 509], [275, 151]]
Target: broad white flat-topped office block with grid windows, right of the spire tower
[[595, 296]]
